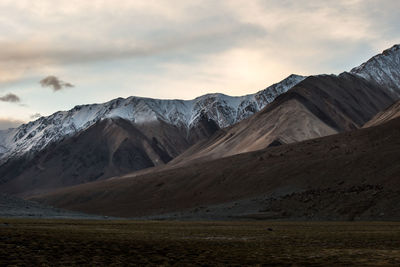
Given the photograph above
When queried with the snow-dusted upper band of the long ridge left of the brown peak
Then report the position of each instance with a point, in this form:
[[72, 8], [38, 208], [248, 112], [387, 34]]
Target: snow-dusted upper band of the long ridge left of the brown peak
[[223, 109]]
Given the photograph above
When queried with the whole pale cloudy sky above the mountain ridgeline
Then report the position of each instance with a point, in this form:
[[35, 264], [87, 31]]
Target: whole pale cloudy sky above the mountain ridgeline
[[59, 54]]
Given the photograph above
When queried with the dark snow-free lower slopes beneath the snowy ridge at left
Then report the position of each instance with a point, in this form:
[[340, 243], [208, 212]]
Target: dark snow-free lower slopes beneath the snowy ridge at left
[[109, 148]]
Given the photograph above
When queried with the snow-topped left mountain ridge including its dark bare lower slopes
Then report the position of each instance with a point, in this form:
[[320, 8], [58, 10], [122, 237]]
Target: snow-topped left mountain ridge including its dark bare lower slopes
[[99, 141]]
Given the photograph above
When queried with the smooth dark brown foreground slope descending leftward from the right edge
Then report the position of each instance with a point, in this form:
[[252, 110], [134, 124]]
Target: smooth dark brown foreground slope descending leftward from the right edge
[[337, 163]]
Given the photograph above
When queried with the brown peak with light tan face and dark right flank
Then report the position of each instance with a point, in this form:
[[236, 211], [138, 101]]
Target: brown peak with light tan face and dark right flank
[[318, 106]]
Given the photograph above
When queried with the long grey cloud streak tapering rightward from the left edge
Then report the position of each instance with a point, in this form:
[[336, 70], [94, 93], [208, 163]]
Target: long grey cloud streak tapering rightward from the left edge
[[202, 36]]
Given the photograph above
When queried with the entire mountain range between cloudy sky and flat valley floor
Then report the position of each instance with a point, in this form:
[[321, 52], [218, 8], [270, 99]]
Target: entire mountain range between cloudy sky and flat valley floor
[[141, 156]]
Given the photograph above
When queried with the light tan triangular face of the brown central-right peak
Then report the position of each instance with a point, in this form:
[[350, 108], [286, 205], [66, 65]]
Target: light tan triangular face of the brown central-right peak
[[289, 122]]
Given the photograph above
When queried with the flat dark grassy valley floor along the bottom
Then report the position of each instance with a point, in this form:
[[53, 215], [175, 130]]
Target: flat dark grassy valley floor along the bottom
[[106, 243]]
